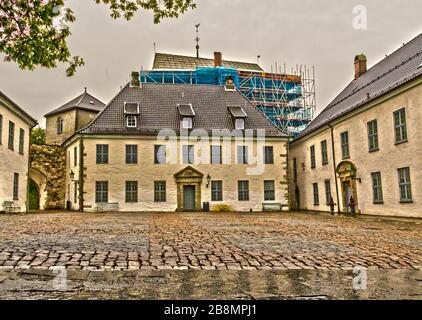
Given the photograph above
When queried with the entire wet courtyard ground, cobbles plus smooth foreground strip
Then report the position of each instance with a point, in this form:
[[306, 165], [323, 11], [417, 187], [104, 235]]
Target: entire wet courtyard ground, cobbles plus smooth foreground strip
[[207, 256]]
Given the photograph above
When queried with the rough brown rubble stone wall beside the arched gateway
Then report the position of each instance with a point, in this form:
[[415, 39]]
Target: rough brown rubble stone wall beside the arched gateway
[[50, 161]]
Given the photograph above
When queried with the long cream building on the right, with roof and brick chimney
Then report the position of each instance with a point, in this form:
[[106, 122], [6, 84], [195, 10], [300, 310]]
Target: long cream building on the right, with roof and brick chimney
[[364, 149]]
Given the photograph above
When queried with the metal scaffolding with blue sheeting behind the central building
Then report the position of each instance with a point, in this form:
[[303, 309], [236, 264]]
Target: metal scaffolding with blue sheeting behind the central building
[[288, 100]]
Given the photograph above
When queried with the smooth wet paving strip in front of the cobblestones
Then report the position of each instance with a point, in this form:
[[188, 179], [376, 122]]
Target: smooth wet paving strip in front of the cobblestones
[[211, 285]]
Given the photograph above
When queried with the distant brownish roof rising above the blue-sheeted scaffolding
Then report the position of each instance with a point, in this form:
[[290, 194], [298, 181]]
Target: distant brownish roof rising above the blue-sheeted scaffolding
[[176, 62]]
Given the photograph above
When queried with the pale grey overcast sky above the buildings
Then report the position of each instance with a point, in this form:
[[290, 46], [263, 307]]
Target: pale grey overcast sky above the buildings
[[315, 33]]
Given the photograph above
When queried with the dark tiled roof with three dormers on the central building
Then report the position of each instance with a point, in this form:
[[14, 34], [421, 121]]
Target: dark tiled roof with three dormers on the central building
[[158, 110]]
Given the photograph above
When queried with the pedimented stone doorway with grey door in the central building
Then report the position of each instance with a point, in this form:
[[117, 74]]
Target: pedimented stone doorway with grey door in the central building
[[189, 180]]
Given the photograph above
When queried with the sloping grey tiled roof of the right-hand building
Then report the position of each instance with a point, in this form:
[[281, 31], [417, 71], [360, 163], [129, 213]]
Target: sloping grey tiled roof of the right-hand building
[[396, 69]]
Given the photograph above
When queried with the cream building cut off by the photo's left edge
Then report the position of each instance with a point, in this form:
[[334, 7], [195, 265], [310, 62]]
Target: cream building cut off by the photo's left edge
[[15, 129]]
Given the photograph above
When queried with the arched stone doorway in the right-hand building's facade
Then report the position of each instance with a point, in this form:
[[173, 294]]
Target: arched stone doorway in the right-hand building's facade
[[346, 172]]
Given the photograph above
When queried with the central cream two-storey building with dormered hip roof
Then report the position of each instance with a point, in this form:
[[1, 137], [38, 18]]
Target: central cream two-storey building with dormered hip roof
[[164, 147]]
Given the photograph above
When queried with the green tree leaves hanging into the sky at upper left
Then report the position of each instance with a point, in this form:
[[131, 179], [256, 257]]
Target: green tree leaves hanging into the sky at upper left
[[34, 33]]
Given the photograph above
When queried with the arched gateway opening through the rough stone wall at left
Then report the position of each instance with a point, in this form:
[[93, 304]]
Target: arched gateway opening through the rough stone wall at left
[[37, 189]]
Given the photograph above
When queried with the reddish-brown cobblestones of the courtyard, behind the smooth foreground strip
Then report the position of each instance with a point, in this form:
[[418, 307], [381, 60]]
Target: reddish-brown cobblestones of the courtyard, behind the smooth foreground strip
[[162, 241]]
